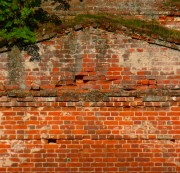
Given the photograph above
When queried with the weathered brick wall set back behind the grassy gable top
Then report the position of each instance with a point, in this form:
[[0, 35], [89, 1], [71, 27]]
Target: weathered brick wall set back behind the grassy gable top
[[159, 10]]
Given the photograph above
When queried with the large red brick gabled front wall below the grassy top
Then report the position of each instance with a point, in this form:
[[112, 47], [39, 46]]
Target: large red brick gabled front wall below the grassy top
[[97, 102]]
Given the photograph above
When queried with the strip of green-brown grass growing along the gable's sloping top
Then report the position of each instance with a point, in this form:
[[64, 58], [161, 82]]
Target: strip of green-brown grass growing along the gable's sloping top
[[135, 25]]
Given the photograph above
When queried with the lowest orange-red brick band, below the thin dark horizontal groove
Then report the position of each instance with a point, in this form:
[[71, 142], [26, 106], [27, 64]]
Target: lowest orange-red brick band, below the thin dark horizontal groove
[[89, 156]]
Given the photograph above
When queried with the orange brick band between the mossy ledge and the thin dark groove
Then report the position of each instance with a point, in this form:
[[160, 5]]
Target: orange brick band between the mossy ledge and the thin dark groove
[[88, 123]]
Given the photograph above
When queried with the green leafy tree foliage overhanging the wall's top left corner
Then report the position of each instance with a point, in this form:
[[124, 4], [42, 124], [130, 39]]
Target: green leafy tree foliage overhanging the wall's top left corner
[[20, 18]]
